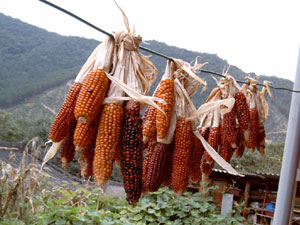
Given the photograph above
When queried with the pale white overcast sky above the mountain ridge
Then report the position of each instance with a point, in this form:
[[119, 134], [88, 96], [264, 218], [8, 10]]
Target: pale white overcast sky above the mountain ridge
[[258, 36]]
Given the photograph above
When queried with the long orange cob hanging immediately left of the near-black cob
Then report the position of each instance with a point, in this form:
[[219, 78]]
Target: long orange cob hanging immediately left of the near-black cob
[[108, 138]]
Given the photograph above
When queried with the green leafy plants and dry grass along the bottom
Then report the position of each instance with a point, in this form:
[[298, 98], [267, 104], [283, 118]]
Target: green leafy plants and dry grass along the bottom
[[31, 199]]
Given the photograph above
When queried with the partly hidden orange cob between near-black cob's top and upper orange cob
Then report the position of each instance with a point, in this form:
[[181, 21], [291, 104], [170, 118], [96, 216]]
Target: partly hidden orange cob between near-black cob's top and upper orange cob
[[149, 124]]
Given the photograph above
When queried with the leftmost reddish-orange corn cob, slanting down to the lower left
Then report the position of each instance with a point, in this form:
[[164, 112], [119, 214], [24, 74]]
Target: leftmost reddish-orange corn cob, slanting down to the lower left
[[63, 119]]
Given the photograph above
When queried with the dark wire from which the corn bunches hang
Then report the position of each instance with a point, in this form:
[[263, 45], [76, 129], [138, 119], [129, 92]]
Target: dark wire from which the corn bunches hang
[[146, 49]]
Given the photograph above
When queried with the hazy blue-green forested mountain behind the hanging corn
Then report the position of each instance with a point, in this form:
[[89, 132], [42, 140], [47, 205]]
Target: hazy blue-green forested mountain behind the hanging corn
[[36, 65]]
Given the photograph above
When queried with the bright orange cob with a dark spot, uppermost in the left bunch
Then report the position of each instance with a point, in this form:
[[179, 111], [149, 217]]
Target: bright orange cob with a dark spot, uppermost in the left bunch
[[91, 96]]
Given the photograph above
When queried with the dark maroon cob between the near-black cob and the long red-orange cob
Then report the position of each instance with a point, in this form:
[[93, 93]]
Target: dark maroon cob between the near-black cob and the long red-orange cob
[[156, 167]]
